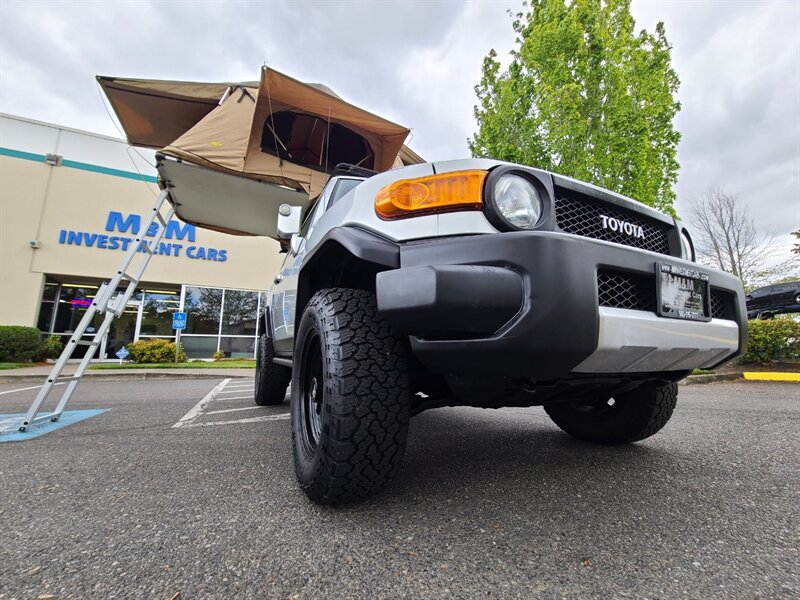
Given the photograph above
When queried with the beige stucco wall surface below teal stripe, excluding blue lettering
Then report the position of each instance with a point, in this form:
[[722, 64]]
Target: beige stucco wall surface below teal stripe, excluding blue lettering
[[38, 201]]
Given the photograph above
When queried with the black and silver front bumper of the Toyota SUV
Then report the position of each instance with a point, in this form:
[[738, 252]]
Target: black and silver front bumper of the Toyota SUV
[[526, 304]]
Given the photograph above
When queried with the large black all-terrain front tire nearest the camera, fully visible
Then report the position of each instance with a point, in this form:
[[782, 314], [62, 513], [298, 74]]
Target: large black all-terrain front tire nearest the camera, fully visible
[[350, 398]]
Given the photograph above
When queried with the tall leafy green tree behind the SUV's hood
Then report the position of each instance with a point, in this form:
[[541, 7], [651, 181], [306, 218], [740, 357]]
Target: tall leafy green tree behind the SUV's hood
[[584, 96]]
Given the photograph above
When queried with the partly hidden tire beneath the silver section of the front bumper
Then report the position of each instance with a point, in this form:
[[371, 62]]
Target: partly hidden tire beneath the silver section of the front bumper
[[627, 418]]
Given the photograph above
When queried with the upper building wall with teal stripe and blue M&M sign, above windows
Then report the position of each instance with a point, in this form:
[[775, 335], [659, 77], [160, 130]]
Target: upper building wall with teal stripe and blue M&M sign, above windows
[[80, 213]]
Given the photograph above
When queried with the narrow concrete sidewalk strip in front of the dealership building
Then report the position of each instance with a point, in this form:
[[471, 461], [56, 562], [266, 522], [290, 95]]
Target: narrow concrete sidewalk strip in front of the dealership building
[[39, 373]]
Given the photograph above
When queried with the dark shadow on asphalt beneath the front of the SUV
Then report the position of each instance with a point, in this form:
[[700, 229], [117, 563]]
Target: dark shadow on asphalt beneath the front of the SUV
[[519, 459]]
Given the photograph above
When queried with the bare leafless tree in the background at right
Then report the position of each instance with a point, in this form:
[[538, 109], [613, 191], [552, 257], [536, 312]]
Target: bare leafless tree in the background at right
[[727, 237]]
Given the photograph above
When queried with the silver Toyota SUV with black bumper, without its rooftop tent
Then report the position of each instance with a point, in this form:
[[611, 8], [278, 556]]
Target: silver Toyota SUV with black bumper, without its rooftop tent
[[486, 284]]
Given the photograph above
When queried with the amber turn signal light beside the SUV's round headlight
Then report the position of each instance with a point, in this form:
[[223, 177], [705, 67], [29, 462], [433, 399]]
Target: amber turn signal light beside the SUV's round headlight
[[459, 190]]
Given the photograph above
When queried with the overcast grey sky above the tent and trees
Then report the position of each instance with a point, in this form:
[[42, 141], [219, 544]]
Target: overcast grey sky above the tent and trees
[[416, 63]]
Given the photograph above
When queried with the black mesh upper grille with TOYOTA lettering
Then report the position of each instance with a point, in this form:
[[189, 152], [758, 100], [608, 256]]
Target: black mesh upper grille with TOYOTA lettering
[[579, 217]]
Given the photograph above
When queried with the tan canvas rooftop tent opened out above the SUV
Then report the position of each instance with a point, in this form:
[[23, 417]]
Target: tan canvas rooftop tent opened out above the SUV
[[282, 135]]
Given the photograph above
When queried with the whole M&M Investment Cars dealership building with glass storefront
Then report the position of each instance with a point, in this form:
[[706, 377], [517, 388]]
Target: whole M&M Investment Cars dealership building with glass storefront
[[70, 204]]
